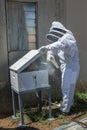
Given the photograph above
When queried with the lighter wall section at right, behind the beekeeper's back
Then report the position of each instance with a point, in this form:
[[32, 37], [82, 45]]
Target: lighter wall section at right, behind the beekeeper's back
[[76, 20]]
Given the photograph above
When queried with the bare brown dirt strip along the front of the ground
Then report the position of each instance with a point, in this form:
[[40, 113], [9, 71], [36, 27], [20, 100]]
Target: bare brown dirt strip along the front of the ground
[[7, 122]]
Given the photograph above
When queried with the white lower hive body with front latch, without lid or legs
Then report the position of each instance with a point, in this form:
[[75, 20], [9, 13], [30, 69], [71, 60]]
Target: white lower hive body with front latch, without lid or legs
[[29, 81]]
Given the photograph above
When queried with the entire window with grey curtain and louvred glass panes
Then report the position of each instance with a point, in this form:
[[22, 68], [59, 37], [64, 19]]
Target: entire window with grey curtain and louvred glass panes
[[21, 25]]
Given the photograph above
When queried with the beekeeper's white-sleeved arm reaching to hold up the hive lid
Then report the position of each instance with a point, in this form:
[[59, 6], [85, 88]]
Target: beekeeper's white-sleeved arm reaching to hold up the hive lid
[[68, 41]]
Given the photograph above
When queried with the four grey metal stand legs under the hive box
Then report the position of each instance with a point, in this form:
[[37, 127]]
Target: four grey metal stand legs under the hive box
[[22, 125]]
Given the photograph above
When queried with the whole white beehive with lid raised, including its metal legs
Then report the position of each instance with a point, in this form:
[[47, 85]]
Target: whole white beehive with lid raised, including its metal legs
[[28, 81]]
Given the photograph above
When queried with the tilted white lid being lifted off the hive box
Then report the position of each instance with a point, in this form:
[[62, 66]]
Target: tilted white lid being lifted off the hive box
[[25, 61]]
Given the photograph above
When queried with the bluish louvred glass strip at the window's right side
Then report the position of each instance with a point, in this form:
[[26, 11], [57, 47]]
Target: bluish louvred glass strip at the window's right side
[[30, 18]]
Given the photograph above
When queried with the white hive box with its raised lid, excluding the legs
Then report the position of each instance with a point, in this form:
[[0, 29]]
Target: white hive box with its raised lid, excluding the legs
[[28, 81]]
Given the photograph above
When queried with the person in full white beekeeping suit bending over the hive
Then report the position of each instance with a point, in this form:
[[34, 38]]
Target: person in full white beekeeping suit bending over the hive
[[64, 45]]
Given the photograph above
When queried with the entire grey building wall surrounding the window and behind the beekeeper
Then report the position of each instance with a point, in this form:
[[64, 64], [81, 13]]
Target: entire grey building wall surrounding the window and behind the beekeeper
[[71, 13]]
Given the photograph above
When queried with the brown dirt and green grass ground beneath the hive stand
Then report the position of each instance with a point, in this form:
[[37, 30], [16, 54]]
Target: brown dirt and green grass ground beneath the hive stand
[[34, 121]]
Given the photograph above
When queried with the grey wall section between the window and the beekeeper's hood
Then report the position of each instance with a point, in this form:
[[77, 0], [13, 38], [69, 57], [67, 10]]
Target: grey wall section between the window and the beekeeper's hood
[[48, 11]]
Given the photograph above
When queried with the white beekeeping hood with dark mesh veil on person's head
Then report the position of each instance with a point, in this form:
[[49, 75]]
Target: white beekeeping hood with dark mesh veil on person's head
[[56, 31]]
